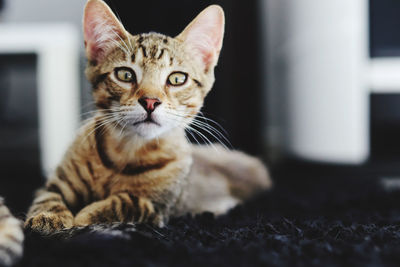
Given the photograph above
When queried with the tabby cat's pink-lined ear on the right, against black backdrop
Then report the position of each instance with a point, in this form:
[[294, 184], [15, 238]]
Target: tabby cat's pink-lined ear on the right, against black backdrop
[[205, 33]]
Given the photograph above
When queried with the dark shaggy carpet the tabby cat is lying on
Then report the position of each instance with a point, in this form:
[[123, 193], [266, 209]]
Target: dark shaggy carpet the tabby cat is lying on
[[310, 218]]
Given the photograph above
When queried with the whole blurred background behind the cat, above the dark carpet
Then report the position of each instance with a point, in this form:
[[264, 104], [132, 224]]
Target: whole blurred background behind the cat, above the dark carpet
[[298, 82]]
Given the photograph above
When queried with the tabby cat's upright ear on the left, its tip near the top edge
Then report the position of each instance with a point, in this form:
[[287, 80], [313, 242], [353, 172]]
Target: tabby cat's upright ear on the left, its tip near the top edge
[[101, 30]]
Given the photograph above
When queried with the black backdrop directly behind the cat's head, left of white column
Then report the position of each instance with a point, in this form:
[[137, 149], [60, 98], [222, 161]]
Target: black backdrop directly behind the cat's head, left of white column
[[235, 101]]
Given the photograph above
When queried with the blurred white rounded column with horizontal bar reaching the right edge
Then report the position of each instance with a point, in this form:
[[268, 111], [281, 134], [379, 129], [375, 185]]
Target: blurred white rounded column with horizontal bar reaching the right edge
[[320, 77]]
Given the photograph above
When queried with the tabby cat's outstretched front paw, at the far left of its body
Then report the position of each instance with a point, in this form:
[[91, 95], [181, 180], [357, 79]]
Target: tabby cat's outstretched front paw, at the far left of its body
[[47, 222]]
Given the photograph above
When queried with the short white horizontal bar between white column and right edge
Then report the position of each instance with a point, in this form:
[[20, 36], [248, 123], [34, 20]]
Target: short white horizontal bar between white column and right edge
[[384, 75]]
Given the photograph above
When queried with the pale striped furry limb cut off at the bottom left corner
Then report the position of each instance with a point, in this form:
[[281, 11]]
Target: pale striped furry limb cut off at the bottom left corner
[[11, 237]]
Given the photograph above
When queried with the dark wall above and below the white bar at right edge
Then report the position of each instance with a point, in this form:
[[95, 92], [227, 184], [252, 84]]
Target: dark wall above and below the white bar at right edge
[[385, 111]]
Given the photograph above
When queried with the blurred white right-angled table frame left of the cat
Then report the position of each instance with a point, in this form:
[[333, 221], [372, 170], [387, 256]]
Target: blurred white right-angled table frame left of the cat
[[57, 49]]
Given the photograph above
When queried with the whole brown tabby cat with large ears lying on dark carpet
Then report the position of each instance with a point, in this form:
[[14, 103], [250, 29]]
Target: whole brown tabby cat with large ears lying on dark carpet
[[131, 162]]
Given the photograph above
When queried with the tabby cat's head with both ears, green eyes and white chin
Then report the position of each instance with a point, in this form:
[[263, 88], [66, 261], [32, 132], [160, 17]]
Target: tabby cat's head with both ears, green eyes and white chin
[[150, 83]]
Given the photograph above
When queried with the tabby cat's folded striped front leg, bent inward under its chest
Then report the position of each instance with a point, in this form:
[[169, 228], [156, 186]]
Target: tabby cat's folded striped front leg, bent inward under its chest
[[120, 207]]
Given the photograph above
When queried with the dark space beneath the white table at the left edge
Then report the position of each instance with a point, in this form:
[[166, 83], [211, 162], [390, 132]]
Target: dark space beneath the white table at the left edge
[[19, 131]]
